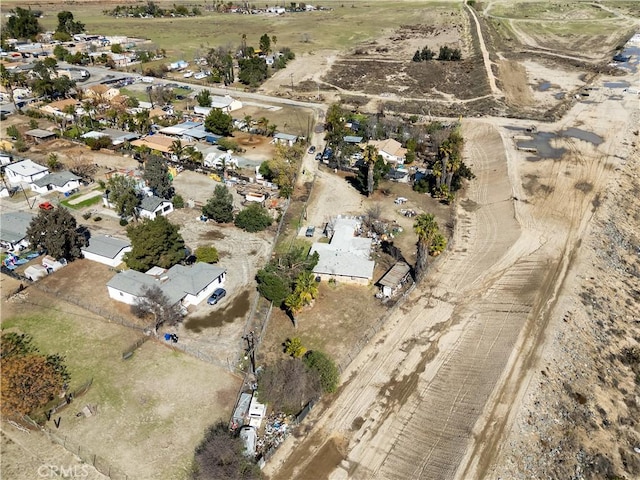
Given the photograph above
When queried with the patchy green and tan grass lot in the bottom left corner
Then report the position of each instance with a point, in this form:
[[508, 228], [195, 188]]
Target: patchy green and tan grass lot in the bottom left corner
[[134, 418]]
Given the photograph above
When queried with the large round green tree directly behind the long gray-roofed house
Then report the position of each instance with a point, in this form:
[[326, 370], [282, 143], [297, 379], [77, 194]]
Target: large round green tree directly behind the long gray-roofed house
[[154, 243]]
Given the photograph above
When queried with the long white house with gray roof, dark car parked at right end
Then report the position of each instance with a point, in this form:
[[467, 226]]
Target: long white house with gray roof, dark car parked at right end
[[188, 285]]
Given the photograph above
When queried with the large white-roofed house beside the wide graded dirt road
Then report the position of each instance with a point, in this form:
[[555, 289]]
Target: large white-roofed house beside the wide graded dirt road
[[346, 257]]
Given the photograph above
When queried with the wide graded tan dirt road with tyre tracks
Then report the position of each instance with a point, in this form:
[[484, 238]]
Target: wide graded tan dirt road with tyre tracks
[[432, 391]]
